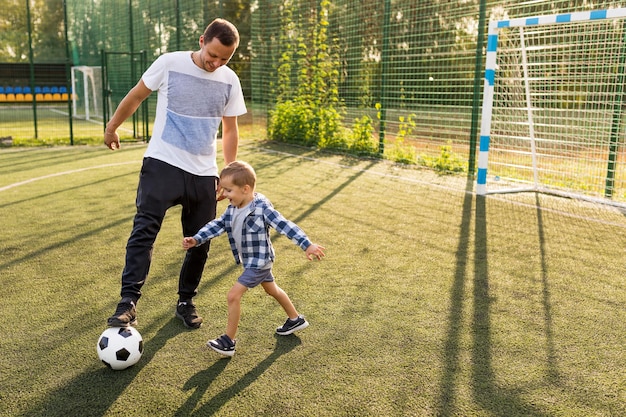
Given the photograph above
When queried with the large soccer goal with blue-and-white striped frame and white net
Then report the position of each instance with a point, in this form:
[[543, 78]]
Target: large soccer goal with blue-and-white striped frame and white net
[[552, 114]]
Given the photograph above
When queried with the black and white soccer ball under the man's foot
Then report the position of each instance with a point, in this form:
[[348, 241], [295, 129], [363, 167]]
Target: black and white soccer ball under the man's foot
[[120, 347]]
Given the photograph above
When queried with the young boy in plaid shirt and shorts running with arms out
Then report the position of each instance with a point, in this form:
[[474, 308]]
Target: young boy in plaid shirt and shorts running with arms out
[[247, 221]]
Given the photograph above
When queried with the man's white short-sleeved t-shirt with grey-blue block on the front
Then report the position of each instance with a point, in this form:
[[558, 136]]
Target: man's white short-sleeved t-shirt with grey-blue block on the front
[[190, 105]]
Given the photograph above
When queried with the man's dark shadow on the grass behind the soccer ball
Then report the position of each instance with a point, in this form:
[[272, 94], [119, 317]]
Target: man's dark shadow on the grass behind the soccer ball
[[94, 391]]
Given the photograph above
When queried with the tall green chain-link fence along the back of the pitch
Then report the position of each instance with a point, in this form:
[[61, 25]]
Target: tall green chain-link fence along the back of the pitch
[[414, 68]]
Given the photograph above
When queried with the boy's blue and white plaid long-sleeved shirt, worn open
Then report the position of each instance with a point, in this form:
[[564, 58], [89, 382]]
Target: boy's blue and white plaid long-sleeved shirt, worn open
[[255, 241]]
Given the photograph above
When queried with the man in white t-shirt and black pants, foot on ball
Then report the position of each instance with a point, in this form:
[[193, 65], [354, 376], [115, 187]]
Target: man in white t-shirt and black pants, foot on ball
[[196, 91]]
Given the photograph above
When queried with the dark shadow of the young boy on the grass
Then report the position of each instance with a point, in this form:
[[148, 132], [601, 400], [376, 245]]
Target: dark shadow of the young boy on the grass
[[203, 379]]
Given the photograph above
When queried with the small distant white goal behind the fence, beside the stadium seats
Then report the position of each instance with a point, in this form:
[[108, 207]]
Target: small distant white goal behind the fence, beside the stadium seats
[[87, 92]]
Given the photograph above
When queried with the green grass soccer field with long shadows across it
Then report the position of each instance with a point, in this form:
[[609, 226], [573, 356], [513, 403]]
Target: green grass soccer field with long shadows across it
[[430, 302]]
